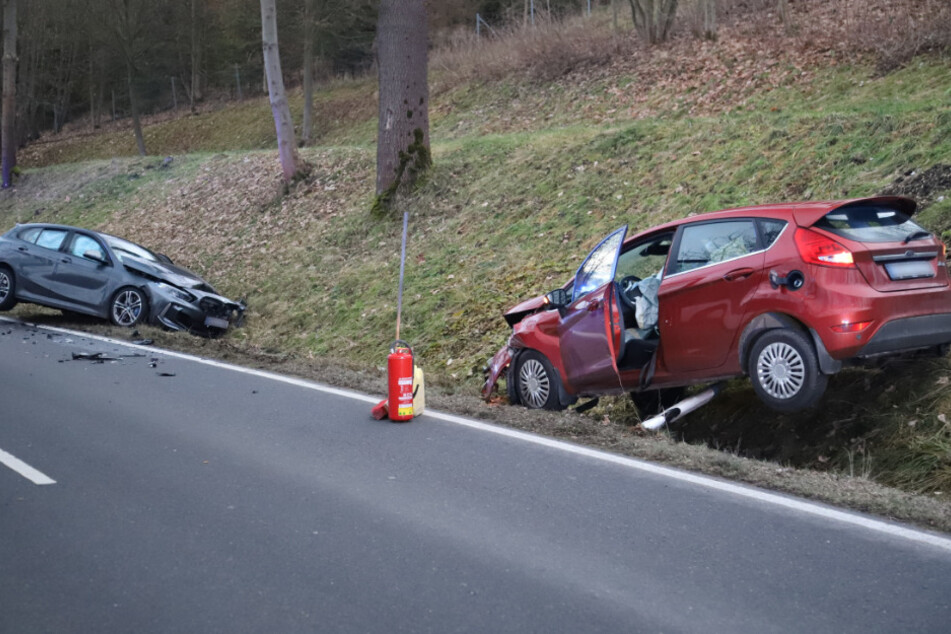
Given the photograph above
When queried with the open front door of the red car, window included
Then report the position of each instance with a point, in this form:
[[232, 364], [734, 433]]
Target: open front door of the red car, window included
[[588, 354]]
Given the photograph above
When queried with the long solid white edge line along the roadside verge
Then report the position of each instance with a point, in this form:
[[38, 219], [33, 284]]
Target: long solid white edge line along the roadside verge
[[760, 495]]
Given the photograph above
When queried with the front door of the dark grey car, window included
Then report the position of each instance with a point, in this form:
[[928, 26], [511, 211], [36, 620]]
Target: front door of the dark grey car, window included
[[81, 281]]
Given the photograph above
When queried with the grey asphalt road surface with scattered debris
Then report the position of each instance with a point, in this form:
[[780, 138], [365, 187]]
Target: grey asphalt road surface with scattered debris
[[220, 501]]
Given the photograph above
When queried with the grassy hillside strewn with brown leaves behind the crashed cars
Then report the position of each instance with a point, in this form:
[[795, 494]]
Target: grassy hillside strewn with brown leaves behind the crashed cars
[[534, 162]]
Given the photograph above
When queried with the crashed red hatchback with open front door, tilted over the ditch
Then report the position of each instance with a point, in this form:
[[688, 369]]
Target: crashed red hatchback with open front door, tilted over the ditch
[[785, 293]]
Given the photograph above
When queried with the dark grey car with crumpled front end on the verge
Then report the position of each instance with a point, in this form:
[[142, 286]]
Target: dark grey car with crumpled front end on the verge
[[97, 274]]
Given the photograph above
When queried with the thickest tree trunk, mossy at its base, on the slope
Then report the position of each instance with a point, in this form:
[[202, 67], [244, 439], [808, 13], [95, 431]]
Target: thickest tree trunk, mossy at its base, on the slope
[[403, 132]]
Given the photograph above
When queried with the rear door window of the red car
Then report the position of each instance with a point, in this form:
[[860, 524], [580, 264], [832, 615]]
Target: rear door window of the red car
[[712, 242]]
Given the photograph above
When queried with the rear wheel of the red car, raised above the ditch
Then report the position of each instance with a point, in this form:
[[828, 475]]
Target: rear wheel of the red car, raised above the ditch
[[785, 372]]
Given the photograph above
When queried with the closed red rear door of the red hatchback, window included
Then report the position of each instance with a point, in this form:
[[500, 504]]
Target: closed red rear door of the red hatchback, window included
[[714, 270]]
